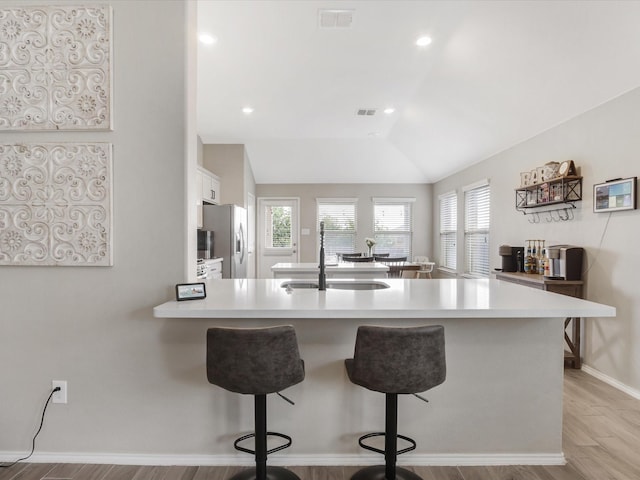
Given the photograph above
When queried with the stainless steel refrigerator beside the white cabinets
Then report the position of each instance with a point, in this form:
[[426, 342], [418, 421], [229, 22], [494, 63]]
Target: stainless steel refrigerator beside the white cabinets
[[229, 224]]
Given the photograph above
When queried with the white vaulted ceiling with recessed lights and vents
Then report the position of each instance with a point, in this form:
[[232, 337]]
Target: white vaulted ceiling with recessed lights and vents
[[496, 73]]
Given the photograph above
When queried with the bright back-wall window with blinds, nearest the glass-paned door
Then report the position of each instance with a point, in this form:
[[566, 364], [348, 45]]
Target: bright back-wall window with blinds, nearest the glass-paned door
[[339, 217]]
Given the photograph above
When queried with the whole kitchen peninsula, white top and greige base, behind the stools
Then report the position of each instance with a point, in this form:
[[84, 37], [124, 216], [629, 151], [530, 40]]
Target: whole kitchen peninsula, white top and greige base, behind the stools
[[500, 404]]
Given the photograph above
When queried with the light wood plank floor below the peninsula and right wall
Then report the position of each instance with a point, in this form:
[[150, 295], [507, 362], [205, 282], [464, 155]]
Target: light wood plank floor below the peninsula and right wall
[[601, 442]]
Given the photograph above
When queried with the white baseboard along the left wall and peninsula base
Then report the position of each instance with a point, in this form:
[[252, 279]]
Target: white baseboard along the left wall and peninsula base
[[284, 460]]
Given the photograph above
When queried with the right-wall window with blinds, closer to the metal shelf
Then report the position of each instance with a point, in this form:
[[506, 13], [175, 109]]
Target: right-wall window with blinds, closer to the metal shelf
[[476, 229]]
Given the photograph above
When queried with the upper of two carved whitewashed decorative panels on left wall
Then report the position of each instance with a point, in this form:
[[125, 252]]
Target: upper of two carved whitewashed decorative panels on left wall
[[55, 68]]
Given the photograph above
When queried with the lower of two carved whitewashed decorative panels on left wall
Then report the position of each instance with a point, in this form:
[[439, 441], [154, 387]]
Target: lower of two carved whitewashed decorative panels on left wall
[[55, 204]]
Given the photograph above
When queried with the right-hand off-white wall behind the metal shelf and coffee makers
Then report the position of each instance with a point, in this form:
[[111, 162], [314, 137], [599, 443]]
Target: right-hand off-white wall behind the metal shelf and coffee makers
[[604, 143]]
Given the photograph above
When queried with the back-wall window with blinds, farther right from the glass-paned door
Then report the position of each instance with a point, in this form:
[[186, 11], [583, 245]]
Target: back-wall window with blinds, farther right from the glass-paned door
[[393, 226]]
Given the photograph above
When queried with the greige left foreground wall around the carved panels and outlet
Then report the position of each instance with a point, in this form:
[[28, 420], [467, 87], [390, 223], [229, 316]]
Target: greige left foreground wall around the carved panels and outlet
[[94, 326]]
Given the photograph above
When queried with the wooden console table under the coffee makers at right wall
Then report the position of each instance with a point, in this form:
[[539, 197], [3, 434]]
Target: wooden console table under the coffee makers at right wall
[[572, 288]]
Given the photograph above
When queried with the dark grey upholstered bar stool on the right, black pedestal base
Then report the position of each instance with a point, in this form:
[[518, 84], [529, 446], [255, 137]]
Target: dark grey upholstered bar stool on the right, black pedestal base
[[395, 360]]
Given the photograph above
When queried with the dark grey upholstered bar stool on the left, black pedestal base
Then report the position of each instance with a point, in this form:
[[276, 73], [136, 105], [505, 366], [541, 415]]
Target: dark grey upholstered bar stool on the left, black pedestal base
[[256, 361]]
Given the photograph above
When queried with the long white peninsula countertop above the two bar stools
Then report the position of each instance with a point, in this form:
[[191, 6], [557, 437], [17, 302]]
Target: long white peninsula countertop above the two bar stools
[[441, 298]]
